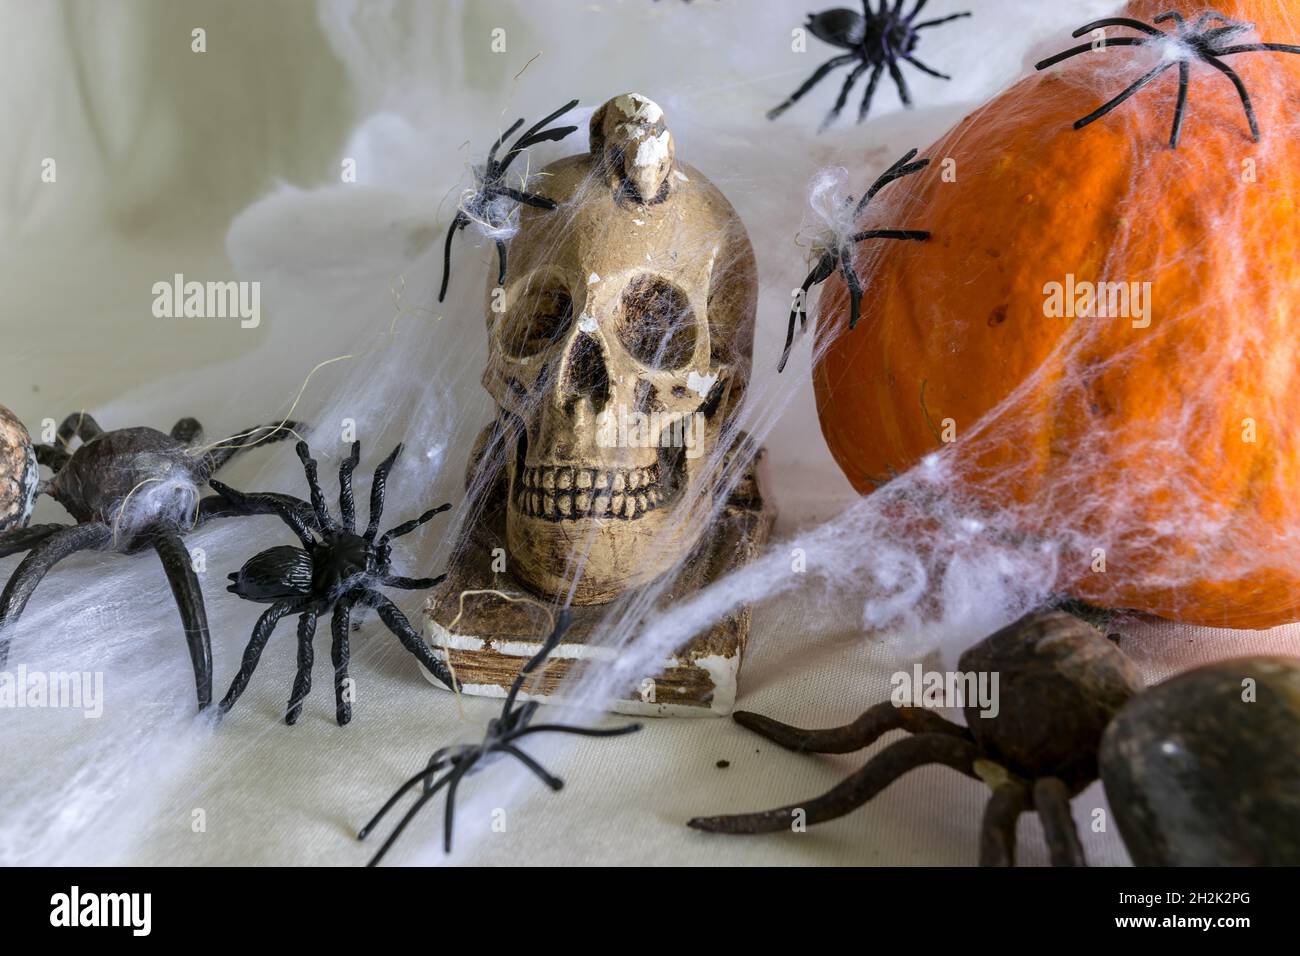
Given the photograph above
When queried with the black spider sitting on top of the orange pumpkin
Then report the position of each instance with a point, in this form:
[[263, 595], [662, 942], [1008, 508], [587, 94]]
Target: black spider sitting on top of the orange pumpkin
[[1201, 41]]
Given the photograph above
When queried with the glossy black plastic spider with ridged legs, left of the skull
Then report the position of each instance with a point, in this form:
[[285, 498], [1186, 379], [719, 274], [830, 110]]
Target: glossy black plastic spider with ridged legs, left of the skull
[[336, 569]]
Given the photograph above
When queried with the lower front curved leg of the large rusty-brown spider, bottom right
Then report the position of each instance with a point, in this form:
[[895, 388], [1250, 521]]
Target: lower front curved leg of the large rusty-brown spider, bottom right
[[857, 789]]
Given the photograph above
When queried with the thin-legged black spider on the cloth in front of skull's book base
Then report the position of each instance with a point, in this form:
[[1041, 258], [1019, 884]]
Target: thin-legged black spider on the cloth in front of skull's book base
[[500, 739]]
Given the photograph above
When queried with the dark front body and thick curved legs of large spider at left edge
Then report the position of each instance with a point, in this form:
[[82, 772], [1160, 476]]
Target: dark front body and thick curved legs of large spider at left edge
[[131, 490]]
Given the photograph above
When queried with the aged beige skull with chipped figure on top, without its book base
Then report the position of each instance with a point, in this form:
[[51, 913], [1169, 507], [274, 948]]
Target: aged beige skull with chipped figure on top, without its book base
[[619, 349]]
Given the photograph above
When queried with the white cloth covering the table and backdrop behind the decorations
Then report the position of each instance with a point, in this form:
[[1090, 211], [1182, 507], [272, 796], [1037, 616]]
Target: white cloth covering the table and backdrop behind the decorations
[[159, 149]]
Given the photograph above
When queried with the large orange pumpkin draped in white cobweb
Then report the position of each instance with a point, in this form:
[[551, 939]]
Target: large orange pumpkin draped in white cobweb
[[1171, 447]]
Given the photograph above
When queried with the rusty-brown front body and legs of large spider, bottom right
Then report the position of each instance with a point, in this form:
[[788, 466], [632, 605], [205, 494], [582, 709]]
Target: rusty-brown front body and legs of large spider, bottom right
[[1061, 684]]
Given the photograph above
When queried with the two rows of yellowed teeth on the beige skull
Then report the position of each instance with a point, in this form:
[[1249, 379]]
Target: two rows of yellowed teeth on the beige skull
[[567, 492]]
